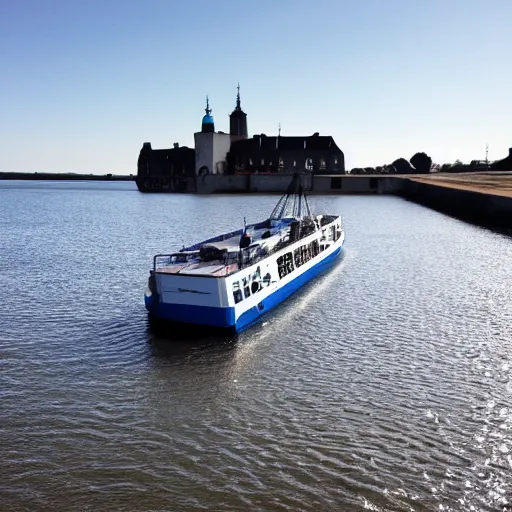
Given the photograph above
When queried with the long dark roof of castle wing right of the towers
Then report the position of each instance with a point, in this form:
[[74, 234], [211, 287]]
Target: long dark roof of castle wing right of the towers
[[314, 142]]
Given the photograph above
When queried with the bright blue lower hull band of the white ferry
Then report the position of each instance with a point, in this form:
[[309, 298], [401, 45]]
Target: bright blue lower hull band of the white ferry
[[225, 317]]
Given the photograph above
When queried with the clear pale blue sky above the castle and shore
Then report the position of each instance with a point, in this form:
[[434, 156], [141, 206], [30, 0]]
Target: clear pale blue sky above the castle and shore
[[84, 84]]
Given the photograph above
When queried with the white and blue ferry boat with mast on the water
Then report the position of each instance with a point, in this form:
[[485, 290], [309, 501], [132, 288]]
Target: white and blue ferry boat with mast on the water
[[230, 281]]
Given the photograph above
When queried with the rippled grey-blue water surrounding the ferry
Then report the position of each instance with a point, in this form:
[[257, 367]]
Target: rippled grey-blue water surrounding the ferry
[[384, 385]]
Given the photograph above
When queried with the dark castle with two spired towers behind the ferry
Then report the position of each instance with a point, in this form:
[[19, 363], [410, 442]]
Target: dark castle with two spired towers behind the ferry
[[183, 169]]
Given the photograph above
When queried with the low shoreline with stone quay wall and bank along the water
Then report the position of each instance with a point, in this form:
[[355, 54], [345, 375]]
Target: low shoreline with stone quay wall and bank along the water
[[479, 198]]
